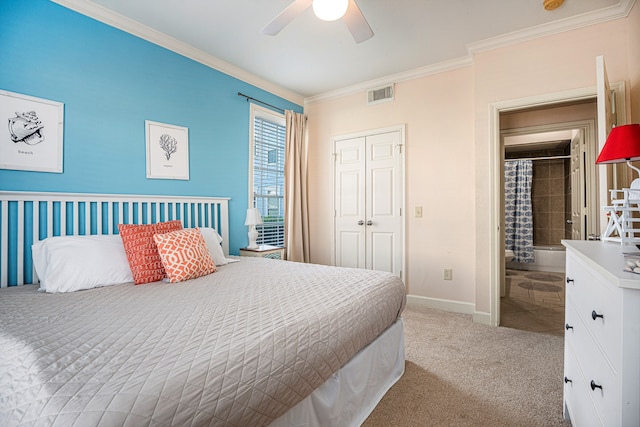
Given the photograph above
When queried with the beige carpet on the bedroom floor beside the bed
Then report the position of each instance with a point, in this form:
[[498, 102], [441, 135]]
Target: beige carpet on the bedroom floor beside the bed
[[459, 373]]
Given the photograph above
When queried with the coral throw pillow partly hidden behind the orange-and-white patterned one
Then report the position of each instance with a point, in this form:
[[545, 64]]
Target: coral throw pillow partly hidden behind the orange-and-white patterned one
[[141, 250]]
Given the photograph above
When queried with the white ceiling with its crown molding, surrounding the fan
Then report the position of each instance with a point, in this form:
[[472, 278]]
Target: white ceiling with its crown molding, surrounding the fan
[[312, 58]]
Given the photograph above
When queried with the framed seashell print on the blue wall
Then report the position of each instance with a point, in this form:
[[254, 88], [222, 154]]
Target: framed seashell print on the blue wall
[[33, 139]]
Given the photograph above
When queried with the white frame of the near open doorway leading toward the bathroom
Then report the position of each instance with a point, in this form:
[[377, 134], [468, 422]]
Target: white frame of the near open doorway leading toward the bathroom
[[496, 258]]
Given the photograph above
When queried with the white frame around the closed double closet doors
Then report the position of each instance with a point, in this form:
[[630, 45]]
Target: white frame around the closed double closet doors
[[397, 128]]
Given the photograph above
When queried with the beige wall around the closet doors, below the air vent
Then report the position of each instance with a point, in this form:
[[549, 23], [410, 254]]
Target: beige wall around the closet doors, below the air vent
[[439, 171]]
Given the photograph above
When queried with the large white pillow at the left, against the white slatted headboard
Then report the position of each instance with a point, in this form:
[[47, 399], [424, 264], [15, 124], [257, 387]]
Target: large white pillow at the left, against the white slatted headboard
[[73, 263]]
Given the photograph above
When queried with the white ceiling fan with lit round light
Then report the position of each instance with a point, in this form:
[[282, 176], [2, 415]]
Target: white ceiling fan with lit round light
[[327, 10]]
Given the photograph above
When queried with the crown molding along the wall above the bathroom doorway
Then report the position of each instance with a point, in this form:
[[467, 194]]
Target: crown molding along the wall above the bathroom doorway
[[620, 10]]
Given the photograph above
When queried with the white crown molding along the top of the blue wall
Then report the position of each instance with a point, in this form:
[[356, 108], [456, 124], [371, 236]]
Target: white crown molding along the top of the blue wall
[[135, 28]]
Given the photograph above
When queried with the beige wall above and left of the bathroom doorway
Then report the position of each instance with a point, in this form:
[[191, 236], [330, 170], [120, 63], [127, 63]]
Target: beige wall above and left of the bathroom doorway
[[551, 64]]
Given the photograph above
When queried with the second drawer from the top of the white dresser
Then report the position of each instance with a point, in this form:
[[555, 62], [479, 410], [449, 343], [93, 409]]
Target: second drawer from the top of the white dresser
[[593, 367]]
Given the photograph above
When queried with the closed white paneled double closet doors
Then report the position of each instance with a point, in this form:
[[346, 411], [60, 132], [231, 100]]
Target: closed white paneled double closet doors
[[368, 201]]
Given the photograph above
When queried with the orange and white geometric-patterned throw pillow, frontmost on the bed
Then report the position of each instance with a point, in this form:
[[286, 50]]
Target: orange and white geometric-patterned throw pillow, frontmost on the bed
[[184, 254]]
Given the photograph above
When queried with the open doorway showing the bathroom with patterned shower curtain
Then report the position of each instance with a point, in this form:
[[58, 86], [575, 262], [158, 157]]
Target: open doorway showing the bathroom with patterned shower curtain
[[549, 152]]
